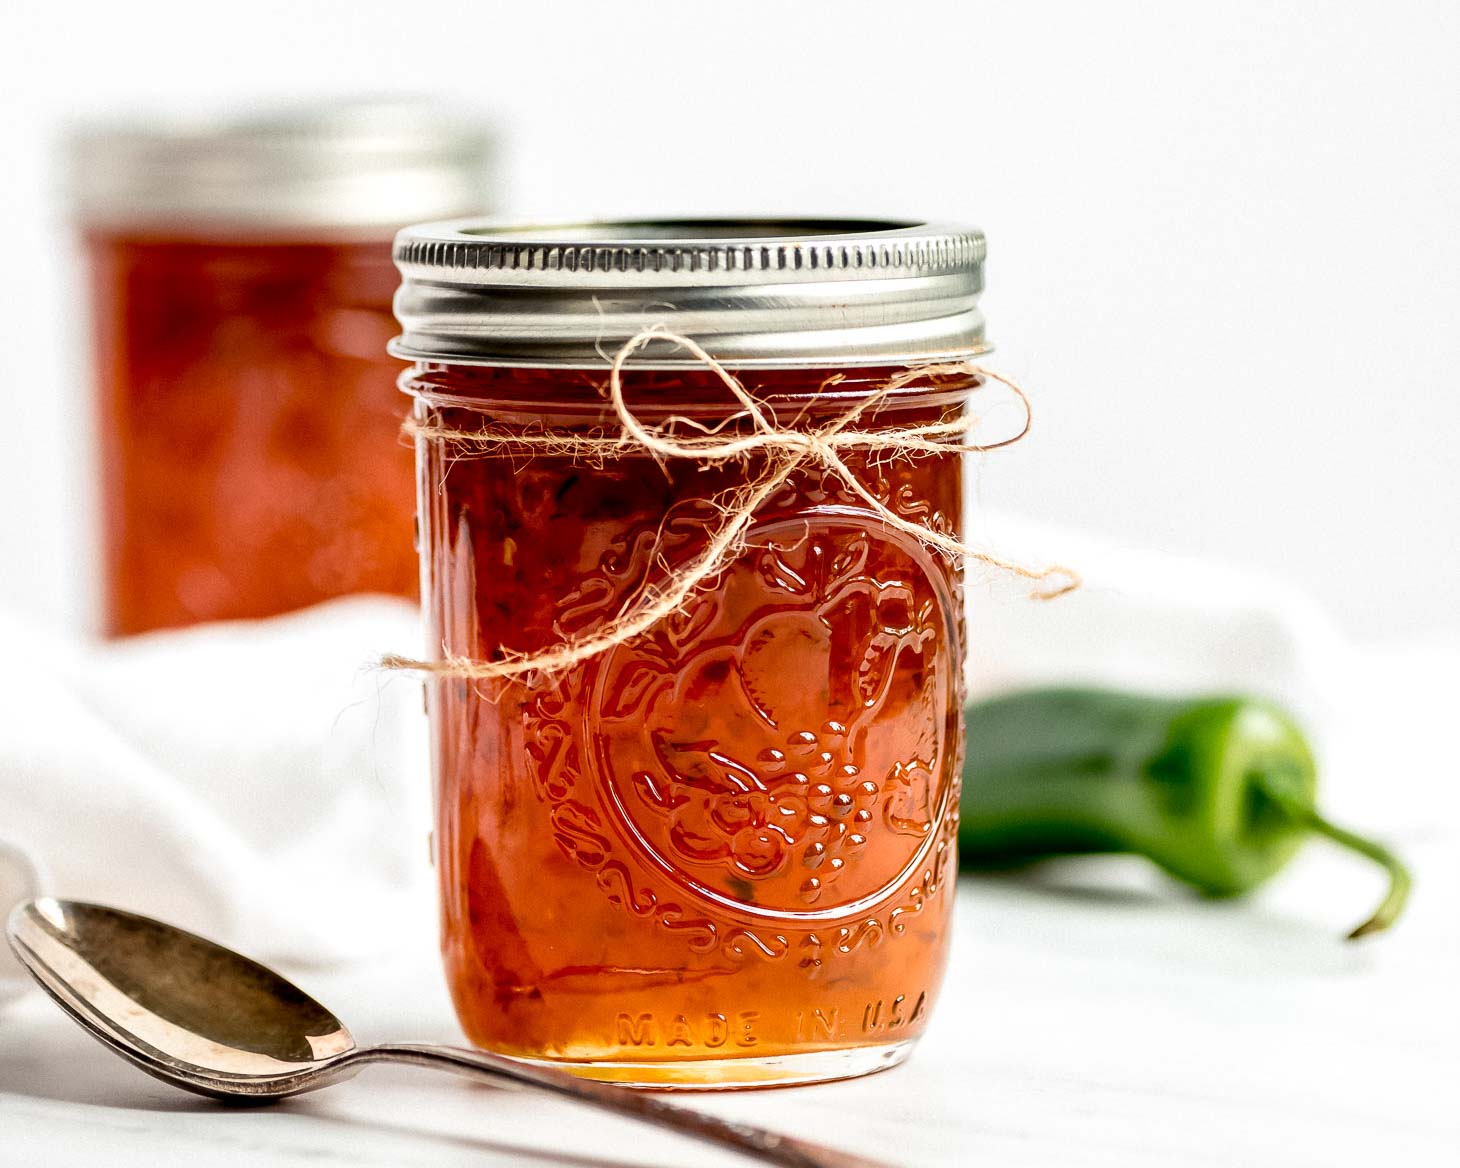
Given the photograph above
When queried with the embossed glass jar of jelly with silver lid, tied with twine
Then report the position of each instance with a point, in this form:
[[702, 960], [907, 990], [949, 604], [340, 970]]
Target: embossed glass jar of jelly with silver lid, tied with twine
[[721, 853]]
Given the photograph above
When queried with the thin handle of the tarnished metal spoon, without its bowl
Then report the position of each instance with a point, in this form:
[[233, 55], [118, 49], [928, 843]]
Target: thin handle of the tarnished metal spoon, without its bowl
[[753, 1141]]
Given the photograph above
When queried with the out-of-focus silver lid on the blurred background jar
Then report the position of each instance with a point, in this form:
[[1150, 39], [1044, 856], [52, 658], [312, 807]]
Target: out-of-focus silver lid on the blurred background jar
[[335, 167]]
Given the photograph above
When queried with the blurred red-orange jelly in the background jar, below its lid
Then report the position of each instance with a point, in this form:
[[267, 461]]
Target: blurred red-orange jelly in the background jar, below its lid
[[250, 461]]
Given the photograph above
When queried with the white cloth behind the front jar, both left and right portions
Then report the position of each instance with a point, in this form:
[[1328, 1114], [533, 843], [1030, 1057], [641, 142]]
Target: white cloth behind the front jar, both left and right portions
[[264, 785]]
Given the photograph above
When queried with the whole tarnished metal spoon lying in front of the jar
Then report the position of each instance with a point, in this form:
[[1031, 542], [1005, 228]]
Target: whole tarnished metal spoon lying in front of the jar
[[208, 1020]]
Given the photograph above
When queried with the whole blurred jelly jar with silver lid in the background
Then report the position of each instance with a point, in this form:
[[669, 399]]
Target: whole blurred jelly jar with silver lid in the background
[[242, 301]]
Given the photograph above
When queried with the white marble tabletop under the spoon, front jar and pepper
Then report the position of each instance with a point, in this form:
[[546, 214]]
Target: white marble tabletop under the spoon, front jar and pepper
[[1099, 1018]]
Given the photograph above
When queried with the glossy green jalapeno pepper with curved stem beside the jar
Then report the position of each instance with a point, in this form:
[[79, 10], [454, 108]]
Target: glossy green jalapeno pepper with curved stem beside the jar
[[1218, 792]]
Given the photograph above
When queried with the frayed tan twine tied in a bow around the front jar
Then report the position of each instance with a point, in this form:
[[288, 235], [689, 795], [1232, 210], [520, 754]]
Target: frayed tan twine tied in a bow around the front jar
[[785, 453]]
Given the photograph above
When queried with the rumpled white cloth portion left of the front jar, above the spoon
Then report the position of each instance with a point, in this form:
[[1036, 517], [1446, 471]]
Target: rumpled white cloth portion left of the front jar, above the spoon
[[256, 782]]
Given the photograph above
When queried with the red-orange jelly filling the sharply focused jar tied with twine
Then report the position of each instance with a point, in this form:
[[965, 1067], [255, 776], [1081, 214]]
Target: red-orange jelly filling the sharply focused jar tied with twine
[[732, 840]]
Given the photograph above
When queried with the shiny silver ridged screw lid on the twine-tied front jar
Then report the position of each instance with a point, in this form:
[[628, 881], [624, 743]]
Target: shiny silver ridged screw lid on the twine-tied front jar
[[753, 293]]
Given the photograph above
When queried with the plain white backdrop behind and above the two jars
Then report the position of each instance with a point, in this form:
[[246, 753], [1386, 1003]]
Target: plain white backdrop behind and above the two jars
[[1224, 247]]
